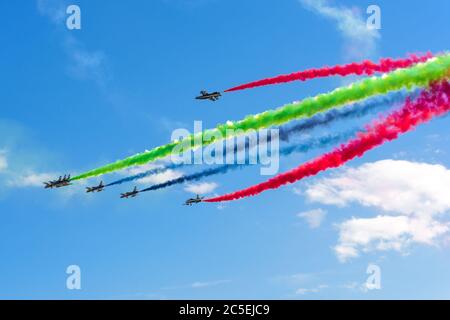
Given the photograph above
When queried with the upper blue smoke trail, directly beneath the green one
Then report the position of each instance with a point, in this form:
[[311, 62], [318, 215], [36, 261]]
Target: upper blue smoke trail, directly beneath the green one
[[354, 110]]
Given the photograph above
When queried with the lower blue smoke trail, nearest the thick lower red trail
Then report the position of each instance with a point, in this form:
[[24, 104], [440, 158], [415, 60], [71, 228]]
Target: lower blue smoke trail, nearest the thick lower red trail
[[303, 147]]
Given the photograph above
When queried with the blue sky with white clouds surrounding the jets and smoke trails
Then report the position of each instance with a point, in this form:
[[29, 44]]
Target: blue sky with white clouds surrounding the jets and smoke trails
[[74, 100]]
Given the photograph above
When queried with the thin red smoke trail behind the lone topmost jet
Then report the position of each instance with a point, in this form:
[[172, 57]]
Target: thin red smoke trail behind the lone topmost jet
[[366, 67]]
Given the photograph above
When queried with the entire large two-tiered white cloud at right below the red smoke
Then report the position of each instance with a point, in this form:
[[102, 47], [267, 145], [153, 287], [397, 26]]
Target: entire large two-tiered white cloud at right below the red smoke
[[412, 195]]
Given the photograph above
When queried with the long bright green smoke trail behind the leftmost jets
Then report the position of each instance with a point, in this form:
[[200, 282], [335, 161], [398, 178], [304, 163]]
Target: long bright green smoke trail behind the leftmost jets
[[418, 75]]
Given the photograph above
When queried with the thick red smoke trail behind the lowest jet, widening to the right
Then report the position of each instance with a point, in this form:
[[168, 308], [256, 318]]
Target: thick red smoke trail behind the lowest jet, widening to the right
[[431, 103]]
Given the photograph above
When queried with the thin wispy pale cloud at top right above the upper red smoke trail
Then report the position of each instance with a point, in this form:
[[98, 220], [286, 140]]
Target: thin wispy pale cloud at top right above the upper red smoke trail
[[360, 41]]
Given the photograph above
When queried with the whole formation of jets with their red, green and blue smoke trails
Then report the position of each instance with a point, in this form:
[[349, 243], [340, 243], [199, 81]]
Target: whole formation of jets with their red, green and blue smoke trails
[[416, 89]]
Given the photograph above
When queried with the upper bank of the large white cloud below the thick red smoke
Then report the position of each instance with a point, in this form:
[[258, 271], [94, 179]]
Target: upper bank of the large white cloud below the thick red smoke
[[392, 185]]
